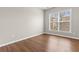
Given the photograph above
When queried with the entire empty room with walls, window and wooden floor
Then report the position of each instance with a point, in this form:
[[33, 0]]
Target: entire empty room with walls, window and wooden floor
[[39, 29]]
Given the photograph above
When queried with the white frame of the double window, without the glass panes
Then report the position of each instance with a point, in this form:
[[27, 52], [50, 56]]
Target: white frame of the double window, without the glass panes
[[50, 15]]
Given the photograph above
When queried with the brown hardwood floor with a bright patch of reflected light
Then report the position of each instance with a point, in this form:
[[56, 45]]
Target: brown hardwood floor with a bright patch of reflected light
[[43, 43]]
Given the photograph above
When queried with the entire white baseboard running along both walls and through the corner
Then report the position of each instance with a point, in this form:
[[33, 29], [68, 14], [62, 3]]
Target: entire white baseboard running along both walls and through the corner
[[34, 36]]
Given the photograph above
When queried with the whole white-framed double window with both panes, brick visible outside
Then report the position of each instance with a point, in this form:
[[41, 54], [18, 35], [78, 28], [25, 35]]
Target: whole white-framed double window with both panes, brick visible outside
[[60, 21]]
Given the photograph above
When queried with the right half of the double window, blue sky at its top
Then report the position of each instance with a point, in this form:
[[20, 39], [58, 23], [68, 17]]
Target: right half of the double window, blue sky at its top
[[65, 21]]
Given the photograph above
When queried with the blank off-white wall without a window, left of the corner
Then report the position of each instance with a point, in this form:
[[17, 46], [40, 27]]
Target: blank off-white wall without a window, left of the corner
[[18, 23]]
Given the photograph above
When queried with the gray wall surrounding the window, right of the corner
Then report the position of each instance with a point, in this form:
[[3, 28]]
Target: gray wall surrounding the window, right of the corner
[[74, 21]]
